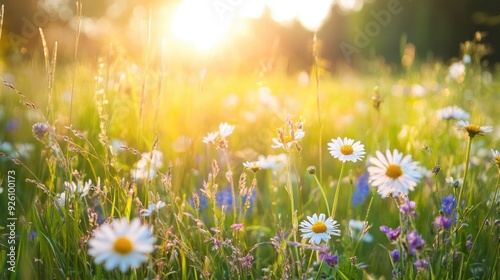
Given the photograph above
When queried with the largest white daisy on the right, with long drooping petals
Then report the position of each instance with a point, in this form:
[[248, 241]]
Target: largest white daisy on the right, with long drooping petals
[[393, 174]]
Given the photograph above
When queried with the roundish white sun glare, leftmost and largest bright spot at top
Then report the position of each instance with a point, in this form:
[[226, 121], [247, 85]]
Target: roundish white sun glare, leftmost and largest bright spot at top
[[194, 25]]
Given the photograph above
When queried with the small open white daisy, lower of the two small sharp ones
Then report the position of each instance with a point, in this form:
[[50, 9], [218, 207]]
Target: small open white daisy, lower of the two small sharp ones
[[317, 228]]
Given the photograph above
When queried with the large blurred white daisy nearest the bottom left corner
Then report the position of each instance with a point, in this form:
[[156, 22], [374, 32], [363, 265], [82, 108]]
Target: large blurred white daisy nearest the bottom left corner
[[121, 244]]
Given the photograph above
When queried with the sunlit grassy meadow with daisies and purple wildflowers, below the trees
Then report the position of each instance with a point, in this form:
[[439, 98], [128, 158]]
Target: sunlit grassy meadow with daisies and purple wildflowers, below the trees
[[132, 171]]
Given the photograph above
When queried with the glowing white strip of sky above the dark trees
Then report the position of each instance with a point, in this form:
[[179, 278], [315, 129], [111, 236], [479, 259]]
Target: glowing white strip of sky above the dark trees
[[203, 23]]
